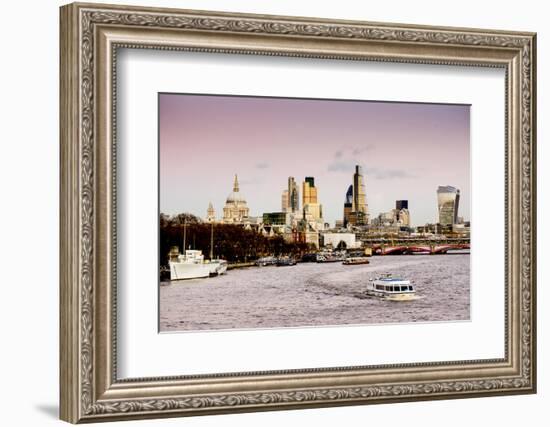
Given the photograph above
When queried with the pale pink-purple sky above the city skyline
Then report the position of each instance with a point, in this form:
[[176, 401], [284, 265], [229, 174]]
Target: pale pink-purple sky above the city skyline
[[406, 151]]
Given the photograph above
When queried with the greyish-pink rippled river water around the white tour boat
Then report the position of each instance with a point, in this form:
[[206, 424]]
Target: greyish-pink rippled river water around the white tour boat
[[316, 294]]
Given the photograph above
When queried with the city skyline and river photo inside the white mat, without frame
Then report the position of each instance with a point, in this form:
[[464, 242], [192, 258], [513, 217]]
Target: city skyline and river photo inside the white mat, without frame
[[291, 212]]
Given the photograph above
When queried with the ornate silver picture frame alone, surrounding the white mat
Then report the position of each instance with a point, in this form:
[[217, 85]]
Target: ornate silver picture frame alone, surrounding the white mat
[[91, 36]]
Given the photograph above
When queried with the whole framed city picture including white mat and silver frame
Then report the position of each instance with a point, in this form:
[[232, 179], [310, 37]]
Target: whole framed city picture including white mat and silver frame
[[283, 178]]
